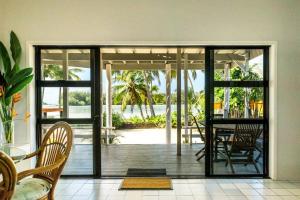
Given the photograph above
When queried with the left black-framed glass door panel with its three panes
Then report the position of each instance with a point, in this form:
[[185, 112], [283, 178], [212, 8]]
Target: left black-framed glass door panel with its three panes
[[65, 85]]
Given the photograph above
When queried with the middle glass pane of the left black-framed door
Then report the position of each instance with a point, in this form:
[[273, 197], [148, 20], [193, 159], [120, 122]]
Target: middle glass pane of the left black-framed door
[[72, 102]]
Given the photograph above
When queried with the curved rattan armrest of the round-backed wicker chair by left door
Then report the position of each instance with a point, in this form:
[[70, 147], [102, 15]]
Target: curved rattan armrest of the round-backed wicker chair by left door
[[40, 170]]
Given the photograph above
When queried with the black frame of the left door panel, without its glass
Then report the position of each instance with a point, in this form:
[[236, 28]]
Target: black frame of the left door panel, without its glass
[[93, 83]]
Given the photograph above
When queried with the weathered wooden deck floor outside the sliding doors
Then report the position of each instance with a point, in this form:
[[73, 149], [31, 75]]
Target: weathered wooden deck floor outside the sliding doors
[[116, 159]]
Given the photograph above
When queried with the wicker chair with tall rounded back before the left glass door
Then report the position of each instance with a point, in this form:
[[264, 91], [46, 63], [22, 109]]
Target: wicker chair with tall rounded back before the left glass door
[[51, 158]]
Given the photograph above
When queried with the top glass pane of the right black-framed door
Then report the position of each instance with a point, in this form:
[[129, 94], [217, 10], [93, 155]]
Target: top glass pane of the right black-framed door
[[238, 64]]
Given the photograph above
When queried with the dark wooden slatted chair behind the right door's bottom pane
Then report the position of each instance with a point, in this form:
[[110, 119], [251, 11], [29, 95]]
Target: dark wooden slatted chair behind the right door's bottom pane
[[243, 145]]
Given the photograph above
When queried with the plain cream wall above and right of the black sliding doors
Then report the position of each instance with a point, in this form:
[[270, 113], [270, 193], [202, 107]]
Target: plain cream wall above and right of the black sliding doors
[[176, 20]]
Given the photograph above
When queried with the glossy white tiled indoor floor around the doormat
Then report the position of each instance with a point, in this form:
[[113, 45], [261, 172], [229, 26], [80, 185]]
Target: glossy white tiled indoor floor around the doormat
[[183, 189]]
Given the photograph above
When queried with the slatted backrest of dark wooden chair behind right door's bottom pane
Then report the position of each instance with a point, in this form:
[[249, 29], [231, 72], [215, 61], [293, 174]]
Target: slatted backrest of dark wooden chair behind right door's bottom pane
[[245, 137]]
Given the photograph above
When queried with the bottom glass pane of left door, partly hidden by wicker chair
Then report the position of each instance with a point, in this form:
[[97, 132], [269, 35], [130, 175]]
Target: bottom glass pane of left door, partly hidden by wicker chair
[[81, 157]]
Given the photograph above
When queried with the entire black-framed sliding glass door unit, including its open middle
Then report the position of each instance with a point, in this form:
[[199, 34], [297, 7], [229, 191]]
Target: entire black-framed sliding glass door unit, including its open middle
[[172, 120]]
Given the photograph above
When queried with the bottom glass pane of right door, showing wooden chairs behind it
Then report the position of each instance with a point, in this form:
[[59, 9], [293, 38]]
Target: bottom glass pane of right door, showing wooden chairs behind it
[[237, 149]]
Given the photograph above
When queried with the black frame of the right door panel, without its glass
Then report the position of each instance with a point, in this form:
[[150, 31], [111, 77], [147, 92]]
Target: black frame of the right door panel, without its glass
[[210, 84]]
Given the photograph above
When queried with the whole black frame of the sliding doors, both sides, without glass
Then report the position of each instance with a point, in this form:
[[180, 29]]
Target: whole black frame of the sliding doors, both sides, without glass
[[96, 94]]
